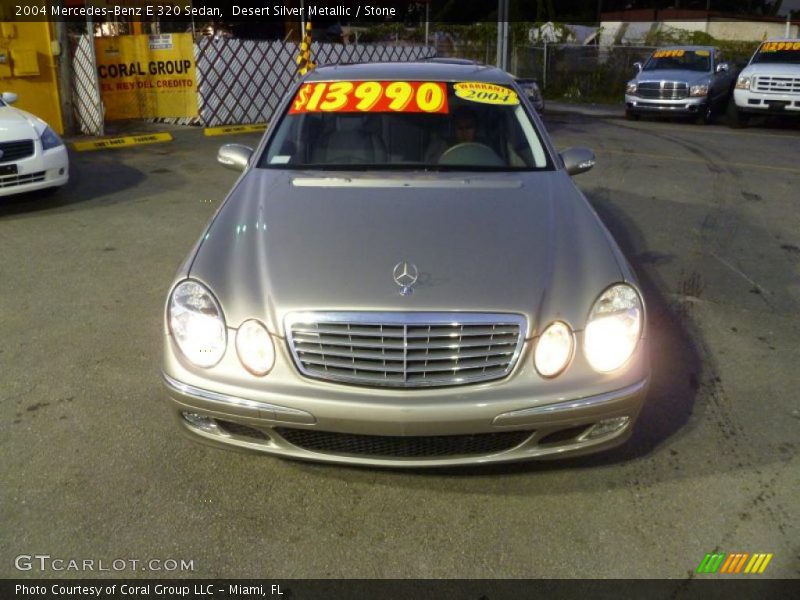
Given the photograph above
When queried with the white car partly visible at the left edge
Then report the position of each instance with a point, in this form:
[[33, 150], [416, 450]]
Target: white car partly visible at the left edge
[[32, 155]]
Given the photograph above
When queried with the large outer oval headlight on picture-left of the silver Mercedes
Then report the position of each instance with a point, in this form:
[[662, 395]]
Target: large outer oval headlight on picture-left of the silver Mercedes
[[197, 324]]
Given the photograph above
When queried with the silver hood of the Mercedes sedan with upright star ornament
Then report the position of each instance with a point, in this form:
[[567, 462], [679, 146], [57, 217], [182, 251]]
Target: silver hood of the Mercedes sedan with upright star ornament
[[525, 243]]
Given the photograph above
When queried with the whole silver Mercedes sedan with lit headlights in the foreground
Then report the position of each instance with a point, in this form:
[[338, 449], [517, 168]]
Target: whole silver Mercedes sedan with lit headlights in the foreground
[[405, 274]]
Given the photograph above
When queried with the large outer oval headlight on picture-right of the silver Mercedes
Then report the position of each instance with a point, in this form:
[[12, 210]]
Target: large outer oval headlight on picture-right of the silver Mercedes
[[613, 329]]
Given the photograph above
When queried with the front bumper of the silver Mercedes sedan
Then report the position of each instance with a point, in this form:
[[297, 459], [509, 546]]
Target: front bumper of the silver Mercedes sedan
[[494, 422]]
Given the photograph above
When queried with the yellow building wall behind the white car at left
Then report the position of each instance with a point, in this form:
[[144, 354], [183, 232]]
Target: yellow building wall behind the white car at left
[[29, 68]]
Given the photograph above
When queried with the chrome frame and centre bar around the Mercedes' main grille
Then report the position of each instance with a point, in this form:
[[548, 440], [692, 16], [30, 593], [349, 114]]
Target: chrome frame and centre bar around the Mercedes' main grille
[[405, 320]]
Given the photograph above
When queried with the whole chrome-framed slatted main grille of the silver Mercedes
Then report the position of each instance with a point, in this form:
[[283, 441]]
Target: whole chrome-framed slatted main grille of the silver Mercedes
[[405, 349]]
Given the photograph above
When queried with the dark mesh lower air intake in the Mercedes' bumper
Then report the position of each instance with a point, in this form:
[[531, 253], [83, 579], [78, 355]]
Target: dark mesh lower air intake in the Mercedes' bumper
[[428, 446]]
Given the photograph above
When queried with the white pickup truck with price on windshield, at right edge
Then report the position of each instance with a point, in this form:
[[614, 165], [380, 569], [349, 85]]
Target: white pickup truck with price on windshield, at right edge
[[769, 84]]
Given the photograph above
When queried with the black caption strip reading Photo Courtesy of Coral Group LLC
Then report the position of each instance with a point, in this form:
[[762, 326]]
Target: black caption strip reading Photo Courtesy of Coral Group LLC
[[707, 588]]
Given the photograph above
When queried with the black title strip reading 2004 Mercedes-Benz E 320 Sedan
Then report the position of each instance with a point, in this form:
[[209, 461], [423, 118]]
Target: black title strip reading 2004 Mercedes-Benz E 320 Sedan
[[410, 13]]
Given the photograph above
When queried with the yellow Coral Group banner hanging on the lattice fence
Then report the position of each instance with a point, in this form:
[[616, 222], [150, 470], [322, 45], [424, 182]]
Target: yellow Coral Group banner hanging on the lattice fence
[[147, 76]]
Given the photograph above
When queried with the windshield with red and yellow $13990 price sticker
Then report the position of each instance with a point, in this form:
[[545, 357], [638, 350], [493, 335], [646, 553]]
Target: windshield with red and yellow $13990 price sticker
[[406, 125]]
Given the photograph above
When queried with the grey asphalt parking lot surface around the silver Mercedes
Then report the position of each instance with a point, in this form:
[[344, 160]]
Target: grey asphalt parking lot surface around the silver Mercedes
[[96, 469]]
